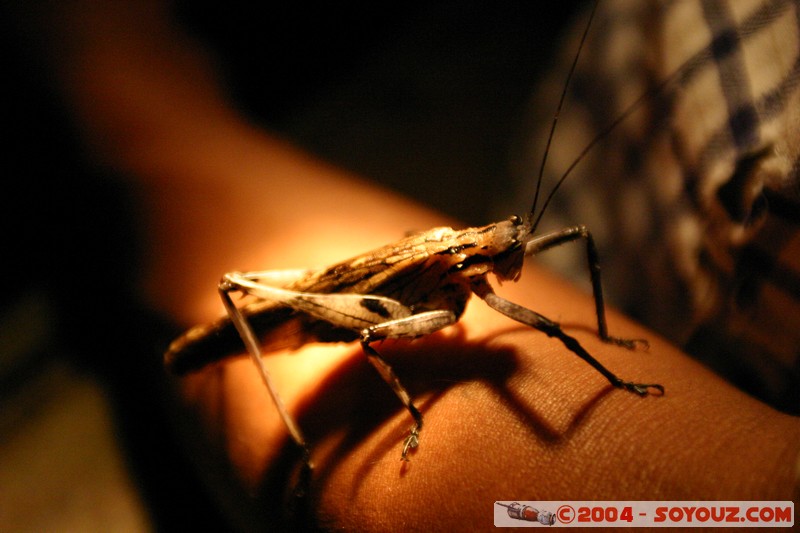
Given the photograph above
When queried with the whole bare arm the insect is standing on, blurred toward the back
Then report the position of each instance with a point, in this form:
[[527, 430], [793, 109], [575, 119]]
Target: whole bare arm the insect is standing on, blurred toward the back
[[509, 413]]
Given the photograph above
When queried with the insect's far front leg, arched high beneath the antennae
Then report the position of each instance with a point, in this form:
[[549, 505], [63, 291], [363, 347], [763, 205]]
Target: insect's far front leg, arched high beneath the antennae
[[557, 238]]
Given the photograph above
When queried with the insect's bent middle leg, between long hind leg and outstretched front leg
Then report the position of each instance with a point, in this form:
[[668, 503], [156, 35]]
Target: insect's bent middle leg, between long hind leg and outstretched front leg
[[408, 327]]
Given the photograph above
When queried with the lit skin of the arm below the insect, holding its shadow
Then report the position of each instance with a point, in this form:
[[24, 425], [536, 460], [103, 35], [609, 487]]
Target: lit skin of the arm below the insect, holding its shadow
[[508, 413]]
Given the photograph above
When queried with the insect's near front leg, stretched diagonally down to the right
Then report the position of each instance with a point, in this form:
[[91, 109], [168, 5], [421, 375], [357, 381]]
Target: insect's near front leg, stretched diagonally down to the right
[[552, 329]]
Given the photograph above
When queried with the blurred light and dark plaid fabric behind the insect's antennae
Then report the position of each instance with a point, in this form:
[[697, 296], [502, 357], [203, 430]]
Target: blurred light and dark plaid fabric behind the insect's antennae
[[694, 197]]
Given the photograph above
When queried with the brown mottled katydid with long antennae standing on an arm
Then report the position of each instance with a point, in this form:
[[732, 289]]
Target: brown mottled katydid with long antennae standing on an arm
[[407, 289]]
